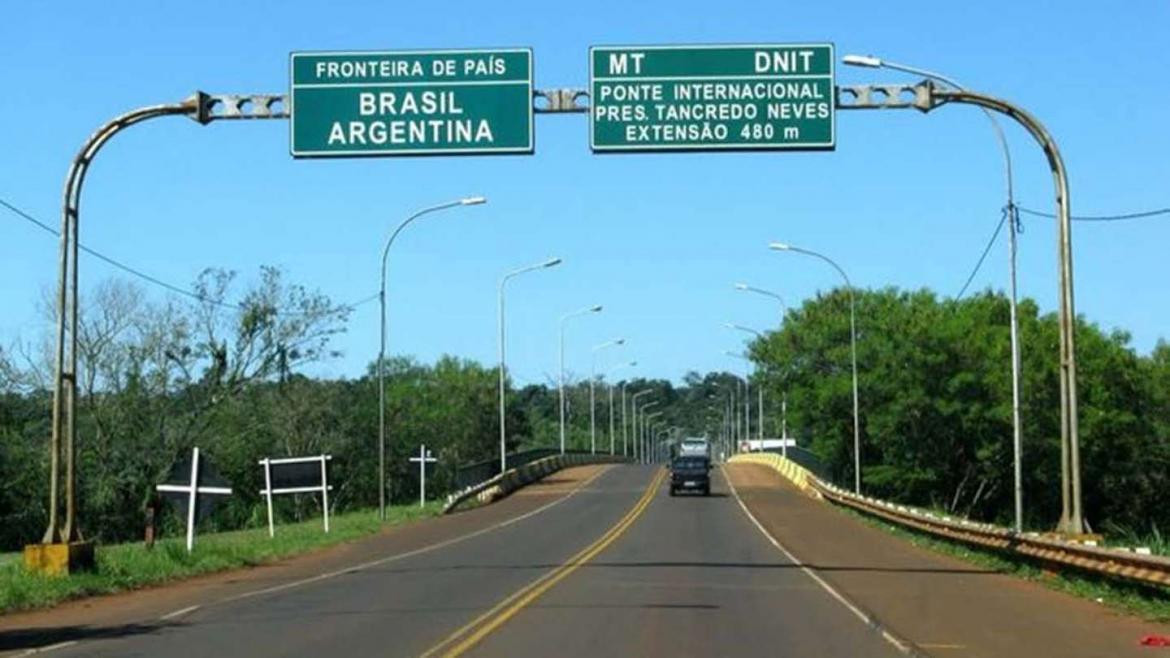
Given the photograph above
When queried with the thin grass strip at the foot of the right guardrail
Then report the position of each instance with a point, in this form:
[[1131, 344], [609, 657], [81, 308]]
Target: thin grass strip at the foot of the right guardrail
[[1151, 604]]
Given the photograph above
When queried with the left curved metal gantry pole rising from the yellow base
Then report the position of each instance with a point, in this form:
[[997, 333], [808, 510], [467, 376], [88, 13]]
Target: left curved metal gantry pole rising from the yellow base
[[65, 392]]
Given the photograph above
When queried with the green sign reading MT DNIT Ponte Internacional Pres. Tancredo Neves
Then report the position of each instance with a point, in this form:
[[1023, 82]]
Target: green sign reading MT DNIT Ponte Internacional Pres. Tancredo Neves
[[712, 98]]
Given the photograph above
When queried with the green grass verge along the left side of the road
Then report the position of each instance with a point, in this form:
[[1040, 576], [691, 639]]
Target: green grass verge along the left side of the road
[[132, 566]]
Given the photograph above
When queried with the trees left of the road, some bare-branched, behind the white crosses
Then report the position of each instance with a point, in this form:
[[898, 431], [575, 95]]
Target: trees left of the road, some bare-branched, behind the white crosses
[[159, 379]]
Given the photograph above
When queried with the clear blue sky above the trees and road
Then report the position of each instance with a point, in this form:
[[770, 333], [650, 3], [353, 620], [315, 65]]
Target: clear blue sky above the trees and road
[[907, 200]]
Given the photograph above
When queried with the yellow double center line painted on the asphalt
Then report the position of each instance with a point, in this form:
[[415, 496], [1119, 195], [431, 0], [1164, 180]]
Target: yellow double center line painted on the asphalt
[[478, 629]]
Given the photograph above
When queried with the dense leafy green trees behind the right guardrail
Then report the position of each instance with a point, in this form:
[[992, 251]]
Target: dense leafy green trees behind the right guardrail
[[935, 389]]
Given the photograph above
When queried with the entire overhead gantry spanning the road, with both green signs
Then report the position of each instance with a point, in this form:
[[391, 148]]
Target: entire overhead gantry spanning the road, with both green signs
[[470, 102]]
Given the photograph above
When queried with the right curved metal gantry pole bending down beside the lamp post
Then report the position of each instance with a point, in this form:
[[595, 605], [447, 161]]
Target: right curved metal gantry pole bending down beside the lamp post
[[1072, 518]]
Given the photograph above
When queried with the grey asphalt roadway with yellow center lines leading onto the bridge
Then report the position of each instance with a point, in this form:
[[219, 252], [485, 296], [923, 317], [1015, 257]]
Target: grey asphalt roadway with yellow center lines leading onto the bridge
[[620, 568]]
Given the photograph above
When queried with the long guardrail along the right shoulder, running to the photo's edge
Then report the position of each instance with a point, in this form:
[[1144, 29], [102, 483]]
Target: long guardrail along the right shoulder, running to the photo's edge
[[1113, 563]]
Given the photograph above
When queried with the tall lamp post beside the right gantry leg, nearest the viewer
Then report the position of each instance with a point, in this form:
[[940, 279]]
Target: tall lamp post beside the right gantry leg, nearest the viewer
[[1017, 422]]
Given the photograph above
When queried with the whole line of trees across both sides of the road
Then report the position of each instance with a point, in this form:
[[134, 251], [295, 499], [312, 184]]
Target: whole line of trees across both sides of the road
[[157, 379]]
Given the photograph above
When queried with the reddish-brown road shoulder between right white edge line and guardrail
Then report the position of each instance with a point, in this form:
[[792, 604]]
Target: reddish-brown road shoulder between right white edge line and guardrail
[[941, 605]]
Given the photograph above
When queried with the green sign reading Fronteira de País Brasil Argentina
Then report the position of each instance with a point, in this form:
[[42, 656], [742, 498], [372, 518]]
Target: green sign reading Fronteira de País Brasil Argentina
[[412, 102]]
